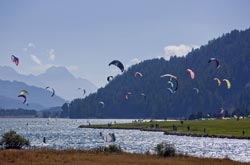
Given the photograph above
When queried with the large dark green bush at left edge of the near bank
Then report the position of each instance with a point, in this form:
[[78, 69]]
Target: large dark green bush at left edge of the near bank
[[11, 140]]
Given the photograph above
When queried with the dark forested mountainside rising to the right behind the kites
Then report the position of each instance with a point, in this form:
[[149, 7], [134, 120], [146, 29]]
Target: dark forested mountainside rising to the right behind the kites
[[231, 49]]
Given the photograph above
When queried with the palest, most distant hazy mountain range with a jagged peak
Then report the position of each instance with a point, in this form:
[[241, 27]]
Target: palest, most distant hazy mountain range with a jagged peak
[[59, 78]]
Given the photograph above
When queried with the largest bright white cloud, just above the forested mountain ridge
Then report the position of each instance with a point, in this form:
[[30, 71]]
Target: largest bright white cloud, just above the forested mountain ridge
[[178, 50]]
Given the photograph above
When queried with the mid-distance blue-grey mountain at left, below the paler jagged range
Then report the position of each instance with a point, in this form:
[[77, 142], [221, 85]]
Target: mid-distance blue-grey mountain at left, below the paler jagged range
[[37, 98]]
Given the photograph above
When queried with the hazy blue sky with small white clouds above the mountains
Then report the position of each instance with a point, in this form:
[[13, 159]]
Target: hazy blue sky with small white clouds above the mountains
[[85, 35]]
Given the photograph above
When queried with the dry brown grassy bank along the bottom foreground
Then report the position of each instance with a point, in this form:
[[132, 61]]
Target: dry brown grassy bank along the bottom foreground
[[51, 157]]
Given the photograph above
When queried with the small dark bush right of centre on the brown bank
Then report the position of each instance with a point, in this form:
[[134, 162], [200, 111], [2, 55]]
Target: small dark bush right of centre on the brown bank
[[165, 149]]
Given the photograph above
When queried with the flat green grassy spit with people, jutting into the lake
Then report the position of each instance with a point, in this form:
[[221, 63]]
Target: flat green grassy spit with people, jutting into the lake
[[218, 128]]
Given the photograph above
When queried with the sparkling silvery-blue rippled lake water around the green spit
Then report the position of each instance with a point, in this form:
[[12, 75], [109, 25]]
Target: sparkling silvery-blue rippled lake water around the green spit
[[65, 134]]
